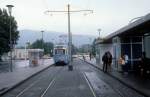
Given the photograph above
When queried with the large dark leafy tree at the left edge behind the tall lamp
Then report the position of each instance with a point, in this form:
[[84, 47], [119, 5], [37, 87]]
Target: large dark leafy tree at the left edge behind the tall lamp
[[4, 31]]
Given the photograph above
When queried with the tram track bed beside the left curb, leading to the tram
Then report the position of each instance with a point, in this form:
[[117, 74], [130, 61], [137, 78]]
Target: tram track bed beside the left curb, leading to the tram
[[46, 79]]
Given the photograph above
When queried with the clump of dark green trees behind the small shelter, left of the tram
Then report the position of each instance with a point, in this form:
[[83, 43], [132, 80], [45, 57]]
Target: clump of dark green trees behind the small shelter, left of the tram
[[39, 44]]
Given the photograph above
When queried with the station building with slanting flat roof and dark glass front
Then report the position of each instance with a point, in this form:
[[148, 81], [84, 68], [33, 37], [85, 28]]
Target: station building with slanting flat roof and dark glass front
[[132, 40]]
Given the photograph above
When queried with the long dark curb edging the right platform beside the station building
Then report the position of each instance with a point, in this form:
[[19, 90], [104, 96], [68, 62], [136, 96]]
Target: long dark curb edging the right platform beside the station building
[[128, 85]]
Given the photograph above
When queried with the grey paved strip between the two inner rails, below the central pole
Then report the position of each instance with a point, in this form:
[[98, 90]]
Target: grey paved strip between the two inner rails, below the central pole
[[69, 84]]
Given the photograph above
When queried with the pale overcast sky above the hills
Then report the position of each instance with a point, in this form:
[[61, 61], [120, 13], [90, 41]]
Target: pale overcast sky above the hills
[[109, 15]]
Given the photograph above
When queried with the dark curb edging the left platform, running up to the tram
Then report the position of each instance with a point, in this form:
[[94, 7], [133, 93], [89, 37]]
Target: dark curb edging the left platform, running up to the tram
[[22, 81]]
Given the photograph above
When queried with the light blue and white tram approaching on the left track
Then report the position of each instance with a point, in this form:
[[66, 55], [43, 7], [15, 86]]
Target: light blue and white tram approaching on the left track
[[60, 54]]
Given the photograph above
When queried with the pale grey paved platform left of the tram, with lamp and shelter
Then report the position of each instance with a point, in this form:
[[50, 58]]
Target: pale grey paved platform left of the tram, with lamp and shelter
[[21, 71]]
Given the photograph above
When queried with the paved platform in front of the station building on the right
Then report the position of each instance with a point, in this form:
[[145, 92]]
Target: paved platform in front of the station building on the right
[[137, 83]]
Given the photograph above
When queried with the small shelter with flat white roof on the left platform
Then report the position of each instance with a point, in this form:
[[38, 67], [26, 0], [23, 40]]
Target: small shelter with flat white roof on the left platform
[[34, 56]]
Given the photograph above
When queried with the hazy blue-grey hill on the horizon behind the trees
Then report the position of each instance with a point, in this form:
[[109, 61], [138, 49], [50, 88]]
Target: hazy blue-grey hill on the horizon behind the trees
[[52, 36]]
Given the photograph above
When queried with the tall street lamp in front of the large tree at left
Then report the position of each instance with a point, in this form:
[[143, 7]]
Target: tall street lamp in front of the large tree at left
[[10, 36]]
